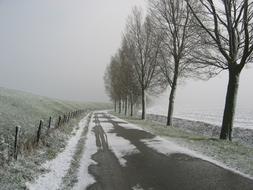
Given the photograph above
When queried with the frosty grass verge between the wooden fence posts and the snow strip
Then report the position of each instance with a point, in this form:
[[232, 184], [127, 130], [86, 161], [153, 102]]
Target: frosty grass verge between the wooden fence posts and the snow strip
[[15, 174]]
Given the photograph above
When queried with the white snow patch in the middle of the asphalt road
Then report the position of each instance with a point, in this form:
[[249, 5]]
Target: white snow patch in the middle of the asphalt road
[[120, 146]]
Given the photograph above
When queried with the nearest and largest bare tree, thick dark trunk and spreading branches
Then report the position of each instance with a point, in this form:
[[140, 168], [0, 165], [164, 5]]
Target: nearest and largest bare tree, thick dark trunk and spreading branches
[[227, 29]]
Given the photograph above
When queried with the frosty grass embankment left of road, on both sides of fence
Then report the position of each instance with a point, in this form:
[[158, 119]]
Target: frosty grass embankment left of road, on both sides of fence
[[25, 109]]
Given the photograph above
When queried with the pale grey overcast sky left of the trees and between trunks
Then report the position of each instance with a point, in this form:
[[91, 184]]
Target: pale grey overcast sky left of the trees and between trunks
[[60, 48]]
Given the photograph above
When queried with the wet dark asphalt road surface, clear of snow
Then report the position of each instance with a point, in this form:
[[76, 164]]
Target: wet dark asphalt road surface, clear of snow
[[152, 170]]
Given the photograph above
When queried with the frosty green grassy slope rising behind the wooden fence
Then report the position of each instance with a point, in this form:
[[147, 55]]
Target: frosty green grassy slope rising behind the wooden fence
[[25, 109]]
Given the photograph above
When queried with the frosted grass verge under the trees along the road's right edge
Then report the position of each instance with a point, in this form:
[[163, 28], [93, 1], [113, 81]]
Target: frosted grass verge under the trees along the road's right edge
[[232, 154]]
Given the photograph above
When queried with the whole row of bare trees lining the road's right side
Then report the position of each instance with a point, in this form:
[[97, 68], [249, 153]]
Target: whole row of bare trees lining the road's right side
[[178, 39]]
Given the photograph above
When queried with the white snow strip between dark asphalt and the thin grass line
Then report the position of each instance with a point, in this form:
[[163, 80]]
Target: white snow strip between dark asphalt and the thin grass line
[[84, 178]]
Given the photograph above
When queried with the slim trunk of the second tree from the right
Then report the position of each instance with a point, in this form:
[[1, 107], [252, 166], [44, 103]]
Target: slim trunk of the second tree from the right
[[172, 95]]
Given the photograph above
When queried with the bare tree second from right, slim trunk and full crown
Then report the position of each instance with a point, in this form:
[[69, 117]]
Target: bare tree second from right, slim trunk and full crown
[[175, 19]]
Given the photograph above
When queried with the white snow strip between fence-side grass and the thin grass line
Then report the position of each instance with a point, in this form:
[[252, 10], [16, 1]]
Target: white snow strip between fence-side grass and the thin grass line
[[59, 166]]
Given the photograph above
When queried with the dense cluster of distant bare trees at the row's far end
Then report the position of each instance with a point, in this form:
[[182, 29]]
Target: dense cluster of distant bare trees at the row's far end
[[121, 80]]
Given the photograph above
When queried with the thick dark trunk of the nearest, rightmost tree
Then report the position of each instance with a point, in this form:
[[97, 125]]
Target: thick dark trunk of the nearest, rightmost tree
[[229, 110]]
